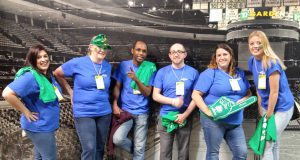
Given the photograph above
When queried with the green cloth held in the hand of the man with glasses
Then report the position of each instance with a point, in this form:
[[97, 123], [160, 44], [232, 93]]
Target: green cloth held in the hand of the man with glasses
[[168, 121]]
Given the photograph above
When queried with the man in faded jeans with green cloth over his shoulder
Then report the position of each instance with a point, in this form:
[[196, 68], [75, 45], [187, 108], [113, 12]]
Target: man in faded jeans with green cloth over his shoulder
[[133, 100]]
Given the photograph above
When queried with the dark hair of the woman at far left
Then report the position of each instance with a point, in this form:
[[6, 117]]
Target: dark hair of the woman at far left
[[32, 54]]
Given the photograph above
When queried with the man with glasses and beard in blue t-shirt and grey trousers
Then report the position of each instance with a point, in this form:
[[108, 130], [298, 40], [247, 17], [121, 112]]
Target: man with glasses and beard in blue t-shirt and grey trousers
[[173, 86]]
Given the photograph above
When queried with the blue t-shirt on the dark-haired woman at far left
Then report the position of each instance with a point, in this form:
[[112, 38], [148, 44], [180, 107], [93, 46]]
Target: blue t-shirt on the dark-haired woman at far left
[[27, 88]]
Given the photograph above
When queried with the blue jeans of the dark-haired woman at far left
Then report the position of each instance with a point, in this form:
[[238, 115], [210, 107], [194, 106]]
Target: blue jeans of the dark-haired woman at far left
[[44, 145]]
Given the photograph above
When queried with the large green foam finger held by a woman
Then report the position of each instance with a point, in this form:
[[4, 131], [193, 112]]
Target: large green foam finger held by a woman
[[224, 107]]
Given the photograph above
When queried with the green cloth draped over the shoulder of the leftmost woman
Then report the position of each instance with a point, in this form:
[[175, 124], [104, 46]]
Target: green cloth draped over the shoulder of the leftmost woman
[[47, 93]]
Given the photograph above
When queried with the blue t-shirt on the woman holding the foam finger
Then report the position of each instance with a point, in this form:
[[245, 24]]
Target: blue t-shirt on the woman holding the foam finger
[[214, 83]]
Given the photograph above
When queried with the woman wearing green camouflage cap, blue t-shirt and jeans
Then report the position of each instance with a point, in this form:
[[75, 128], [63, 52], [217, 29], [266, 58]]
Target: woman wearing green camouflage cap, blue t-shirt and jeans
[[90, 99]]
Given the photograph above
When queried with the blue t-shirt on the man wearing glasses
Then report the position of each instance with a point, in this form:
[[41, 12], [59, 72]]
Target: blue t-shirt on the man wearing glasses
[[166, 79]]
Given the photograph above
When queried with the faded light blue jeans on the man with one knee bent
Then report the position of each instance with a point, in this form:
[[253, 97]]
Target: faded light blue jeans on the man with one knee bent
[[140, 128]]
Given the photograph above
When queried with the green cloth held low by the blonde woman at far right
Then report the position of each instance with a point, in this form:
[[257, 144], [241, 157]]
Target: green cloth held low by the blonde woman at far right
[[265, 131]]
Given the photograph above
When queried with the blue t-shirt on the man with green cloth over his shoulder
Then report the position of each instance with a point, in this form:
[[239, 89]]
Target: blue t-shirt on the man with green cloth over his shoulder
[[132, 103]]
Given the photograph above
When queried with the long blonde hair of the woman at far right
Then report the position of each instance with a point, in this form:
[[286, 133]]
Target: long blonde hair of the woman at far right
[[269, 55]]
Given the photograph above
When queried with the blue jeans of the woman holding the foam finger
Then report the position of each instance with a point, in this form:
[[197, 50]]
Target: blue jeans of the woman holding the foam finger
[[214, 132]]
